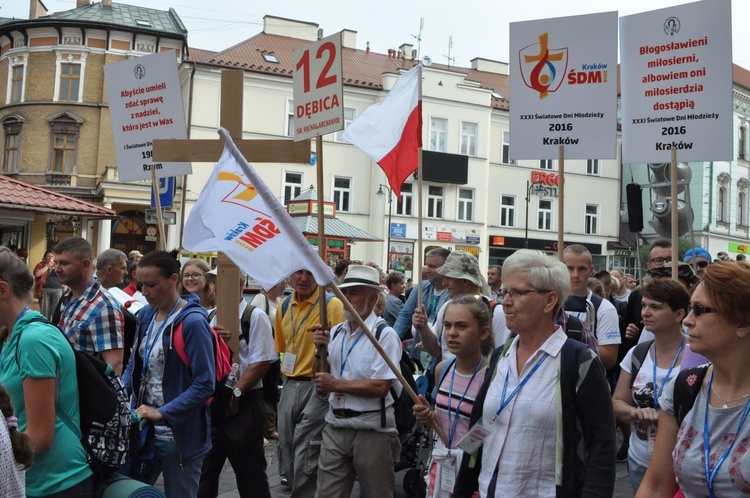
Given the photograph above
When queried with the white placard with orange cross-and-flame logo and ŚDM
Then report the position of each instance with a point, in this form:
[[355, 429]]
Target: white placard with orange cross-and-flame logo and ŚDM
[[563, 85]]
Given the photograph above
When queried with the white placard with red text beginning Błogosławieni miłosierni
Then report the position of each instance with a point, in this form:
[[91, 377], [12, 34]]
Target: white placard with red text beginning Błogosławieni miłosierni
[[676, 78]]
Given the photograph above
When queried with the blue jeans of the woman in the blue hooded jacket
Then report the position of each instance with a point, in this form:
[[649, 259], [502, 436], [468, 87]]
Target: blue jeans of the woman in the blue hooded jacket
[[178, 482]]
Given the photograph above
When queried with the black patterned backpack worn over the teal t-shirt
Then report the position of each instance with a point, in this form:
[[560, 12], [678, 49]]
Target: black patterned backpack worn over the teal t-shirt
[[104, 408]]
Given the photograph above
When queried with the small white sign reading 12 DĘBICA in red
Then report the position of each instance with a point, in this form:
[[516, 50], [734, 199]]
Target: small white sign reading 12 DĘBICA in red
[[318, 89]]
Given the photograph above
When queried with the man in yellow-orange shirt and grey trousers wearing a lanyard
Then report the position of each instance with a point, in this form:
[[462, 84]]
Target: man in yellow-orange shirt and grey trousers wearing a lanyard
[[301, 410]]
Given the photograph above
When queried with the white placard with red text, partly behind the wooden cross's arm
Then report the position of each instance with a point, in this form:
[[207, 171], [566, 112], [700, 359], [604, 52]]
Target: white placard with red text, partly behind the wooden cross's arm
[[145, 102]]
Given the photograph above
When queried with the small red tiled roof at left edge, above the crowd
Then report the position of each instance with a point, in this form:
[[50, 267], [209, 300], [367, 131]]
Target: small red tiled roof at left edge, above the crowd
[[16, 195]]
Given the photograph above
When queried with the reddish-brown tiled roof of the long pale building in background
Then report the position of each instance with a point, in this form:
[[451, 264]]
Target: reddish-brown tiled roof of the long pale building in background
[[361, 68]]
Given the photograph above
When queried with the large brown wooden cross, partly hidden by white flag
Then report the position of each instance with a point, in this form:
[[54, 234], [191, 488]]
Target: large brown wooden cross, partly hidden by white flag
[[228, 293]]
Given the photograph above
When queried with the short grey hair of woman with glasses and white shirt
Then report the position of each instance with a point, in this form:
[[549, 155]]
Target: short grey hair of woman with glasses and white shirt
[[543, 271]]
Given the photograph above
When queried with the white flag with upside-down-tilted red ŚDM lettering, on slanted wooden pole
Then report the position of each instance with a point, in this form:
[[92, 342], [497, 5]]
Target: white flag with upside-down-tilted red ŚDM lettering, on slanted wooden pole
[[238, 215]]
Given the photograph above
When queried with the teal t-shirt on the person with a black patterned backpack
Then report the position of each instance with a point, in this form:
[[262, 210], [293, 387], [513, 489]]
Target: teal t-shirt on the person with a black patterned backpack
[[45, 353]]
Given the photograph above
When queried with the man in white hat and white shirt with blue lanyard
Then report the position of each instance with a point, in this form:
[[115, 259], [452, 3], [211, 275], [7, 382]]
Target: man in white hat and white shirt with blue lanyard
[[360, 439]]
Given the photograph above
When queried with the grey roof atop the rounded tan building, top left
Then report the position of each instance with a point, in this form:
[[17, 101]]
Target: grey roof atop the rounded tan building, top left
[[118, 15]]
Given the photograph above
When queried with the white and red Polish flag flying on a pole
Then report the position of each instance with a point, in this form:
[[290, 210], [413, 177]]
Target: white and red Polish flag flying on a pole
[[391, 132]]
